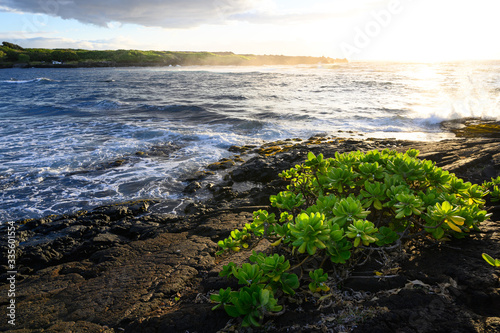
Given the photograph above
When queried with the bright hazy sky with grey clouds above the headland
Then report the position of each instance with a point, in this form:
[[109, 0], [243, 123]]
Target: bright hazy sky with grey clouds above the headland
[[401, 30]]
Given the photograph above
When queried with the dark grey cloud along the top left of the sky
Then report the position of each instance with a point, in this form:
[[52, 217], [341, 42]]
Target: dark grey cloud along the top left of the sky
[[161, 13]]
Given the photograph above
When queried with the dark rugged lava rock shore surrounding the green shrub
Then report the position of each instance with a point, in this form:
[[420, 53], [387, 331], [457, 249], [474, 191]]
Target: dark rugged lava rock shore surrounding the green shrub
[[121, 268]]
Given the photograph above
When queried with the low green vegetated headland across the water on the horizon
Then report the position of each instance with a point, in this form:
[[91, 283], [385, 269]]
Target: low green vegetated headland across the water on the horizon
[[11, 54]]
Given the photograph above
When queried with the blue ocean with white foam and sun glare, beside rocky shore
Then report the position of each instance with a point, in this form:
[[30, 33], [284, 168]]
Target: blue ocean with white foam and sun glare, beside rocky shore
[[74, 139]]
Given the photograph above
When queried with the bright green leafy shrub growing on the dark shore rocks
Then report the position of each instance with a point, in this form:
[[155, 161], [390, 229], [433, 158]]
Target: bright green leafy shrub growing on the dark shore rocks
[[353, 203]]
